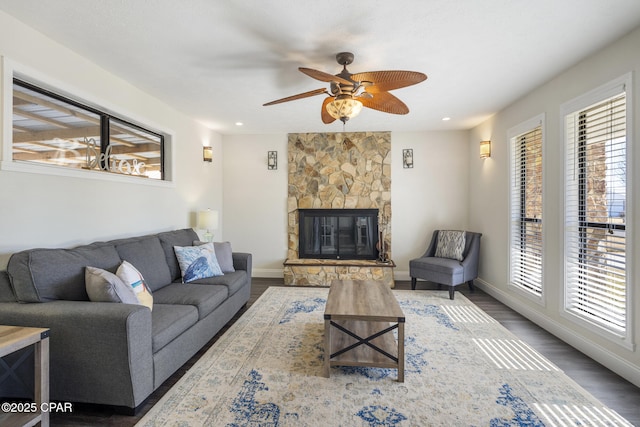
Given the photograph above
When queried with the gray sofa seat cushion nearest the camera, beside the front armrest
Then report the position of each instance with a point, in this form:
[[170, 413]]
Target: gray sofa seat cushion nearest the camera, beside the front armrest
[[169, 321]]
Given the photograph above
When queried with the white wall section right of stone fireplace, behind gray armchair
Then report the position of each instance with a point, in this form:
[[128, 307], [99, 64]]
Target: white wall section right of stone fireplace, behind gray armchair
[[432, 195]]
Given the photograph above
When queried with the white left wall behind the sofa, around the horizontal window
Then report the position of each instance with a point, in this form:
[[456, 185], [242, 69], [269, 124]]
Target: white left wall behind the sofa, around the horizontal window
[[47, 211]]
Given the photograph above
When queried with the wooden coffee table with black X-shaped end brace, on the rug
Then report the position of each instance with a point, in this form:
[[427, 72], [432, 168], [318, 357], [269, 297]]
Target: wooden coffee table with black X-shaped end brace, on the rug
[[359, 320]]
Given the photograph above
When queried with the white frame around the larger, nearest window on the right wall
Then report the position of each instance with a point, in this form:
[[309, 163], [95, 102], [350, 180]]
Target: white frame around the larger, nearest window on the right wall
[[574, 107]]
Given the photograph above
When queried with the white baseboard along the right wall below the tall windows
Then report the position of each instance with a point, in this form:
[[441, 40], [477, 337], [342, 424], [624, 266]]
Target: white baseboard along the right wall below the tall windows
[[612, 361]]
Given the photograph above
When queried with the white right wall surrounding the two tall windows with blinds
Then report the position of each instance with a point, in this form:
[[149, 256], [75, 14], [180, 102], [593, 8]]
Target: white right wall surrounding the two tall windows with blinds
[[489, 195]]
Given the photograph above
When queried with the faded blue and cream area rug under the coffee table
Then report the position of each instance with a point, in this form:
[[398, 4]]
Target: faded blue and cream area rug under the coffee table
[[462, 369]]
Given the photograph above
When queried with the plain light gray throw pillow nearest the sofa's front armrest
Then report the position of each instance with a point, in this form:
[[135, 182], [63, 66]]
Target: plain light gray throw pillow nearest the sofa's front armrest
[[103, 286]]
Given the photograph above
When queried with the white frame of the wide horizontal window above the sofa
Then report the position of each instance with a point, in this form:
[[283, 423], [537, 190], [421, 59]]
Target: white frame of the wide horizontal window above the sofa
[[47, 85]]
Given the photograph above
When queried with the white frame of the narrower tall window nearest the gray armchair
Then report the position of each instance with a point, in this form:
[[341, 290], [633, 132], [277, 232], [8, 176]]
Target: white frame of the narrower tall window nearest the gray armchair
[[513, 134]]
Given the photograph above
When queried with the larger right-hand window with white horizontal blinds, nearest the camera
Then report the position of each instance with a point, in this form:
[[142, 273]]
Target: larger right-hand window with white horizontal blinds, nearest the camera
[[595, 228]]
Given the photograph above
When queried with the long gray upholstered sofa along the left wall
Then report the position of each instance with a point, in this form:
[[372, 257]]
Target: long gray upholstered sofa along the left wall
[[113, 353]]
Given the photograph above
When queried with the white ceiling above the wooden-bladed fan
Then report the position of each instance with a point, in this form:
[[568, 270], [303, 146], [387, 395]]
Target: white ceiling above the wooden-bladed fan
[[219, 61]]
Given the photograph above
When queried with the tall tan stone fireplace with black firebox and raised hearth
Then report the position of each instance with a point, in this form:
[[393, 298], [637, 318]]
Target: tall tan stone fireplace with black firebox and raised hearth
[[347, 171]]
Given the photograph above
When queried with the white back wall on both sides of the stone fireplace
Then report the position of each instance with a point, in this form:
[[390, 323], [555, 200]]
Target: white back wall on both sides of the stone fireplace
[[434, 194]]
